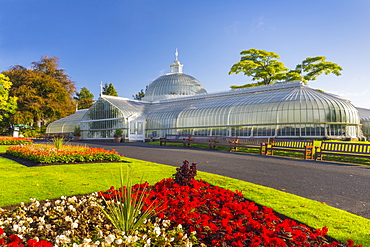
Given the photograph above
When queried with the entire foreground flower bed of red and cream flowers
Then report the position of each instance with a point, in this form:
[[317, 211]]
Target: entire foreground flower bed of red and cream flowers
[[189, 213]]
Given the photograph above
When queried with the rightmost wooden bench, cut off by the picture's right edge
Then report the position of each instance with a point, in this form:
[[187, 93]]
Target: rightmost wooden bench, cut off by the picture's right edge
[[348, 149]]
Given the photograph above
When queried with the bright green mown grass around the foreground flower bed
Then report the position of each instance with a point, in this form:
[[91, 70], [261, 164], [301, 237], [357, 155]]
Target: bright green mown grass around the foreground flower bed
[[19, 183]]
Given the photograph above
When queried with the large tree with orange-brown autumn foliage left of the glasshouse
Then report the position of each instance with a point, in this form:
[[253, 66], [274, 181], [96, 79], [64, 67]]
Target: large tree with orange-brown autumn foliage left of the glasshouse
[[44, 92]]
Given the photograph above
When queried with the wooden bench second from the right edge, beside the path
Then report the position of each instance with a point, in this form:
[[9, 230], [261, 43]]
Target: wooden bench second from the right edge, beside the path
[[295, 146]]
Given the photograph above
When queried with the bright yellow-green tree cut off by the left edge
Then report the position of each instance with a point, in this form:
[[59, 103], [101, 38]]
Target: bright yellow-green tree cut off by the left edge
[[8, 104]]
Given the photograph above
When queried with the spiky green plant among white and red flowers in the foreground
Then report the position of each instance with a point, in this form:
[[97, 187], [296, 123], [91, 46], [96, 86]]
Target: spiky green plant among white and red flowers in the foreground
[[126, 211]]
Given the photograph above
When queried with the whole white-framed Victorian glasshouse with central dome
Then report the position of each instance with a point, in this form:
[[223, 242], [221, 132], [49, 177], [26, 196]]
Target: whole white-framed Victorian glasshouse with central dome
[[177, 103]]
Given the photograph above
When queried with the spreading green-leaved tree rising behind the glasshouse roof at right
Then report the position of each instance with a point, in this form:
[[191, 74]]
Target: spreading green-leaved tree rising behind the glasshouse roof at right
[[264, 68]]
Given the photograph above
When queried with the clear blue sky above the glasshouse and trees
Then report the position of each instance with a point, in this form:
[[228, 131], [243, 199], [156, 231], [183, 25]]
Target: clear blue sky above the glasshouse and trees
[[131, 43]]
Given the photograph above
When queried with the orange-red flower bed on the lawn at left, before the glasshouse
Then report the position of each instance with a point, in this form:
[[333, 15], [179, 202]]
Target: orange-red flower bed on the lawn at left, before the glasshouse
[[47, 154]]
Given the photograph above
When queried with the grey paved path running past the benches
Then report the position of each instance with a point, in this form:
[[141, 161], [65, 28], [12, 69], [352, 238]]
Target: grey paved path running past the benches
[[343, 186]]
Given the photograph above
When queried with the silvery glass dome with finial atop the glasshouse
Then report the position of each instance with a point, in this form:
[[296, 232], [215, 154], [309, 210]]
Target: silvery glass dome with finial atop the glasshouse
[[174, 84]]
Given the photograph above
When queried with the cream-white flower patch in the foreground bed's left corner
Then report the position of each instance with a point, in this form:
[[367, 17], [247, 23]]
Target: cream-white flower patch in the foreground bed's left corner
[[80, 222]]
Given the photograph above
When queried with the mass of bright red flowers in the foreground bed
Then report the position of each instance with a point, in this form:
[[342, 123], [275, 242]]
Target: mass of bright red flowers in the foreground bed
[[223, 218]]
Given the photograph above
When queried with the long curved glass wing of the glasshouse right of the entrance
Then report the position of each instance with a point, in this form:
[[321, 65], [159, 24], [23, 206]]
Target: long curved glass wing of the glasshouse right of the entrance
[[280, 110]]
